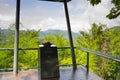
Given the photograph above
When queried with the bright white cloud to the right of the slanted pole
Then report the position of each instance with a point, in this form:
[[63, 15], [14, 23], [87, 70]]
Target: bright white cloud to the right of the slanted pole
[[90, 14]]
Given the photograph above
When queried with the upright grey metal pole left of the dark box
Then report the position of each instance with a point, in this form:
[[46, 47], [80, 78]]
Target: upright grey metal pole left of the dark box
[[16, 43]]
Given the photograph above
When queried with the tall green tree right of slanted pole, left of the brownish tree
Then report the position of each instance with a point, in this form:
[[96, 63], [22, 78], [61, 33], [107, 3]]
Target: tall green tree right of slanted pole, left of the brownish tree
[[92, 40]]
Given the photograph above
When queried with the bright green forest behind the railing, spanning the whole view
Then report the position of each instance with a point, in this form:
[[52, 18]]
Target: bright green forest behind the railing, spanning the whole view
[[98, 38]]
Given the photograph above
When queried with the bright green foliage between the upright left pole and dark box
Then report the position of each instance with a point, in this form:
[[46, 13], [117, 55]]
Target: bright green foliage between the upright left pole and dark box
[[28, 39]]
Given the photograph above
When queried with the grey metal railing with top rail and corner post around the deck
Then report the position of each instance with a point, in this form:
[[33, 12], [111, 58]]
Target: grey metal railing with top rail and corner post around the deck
[[105, 55]]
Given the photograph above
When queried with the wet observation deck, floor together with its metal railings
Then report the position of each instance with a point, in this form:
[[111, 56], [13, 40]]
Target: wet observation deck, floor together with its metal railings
[[66, 71]]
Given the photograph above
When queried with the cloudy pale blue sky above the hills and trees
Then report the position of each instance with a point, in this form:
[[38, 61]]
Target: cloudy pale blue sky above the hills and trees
[[46, 15]]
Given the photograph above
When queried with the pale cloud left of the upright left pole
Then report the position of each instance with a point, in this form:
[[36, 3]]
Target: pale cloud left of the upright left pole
[[7, 15]]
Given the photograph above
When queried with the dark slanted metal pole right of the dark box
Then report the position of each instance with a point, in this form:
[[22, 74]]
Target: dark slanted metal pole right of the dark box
[[70, 35]]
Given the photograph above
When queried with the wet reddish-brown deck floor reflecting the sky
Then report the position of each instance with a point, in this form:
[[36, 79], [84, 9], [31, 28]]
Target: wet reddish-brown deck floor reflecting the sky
[[65, 74]]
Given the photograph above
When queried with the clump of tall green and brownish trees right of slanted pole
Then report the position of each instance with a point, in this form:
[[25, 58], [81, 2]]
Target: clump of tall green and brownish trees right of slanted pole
[[99, 38]]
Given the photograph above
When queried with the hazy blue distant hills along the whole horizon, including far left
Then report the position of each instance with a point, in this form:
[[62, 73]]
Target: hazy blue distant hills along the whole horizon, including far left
[[42, 34]]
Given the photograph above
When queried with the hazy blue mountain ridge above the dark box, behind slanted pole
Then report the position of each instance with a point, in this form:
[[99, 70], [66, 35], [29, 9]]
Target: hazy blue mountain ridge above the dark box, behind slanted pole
[[62, 32]]
